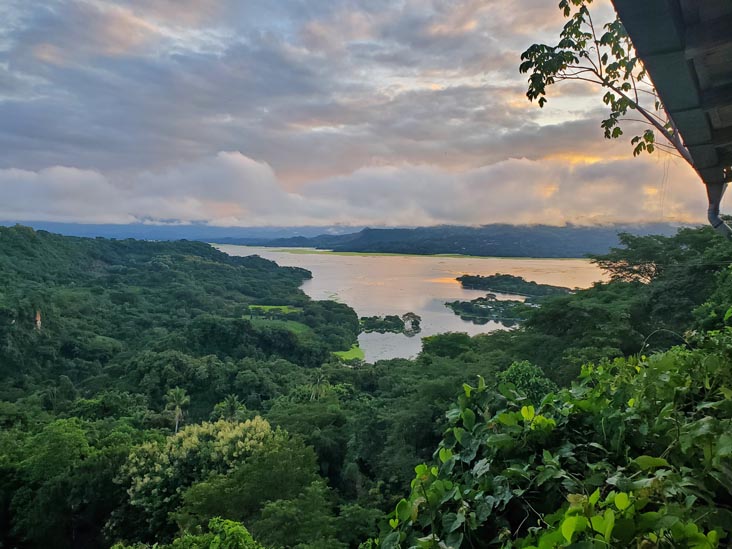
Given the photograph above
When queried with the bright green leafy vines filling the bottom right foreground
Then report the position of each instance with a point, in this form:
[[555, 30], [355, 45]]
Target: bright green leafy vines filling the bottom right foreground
[[637, 453]]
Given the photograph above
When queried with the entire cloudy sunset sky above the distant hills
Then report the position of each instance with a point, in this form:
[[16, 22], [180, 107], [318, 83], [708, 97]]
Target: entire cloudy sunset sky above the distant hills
[[307, 112]]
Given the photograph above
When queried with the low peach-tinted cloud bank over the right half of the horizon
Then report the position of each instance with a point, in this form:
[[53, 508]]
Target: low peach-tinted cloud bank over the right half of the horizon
[[517, 190]]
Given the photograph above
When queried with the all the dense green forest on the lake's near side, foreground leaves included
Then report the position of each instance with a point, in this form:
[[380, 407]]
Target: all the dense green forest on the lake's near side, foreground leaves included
[[167, 393]]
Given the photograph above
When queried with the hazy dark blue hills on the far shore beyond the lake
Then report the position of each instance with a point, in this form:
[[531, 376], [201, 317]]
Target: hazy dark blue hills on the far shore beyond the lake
[[488, 240]]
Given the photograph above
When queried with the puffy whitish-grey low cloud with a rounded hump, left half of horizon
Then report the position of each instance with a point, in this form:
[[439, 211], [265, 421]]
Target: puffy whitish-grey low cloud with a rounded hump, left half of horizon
[[229, 185]]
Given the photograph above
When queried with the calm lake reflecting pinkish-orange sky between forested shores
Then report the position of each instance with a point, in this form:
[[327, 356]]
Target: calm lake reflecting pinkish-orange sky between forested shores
[[374, 284]]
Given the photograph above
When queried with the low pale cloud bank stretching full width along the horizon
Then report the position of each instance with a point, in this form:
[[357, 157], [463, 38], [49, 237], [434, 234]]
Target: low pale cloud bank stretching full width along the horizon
[[232, 189]]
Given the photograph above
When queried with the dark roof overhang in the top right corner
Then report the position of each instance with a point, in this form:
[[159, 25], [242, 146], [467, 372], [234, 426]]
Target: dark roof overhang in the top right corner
[[686, 46]]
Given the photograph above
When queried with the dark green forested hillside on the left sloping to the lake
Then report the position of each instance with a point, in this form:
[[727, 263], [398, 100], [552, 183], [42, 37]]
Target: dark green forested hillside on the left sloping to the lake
[[86, 306]]
